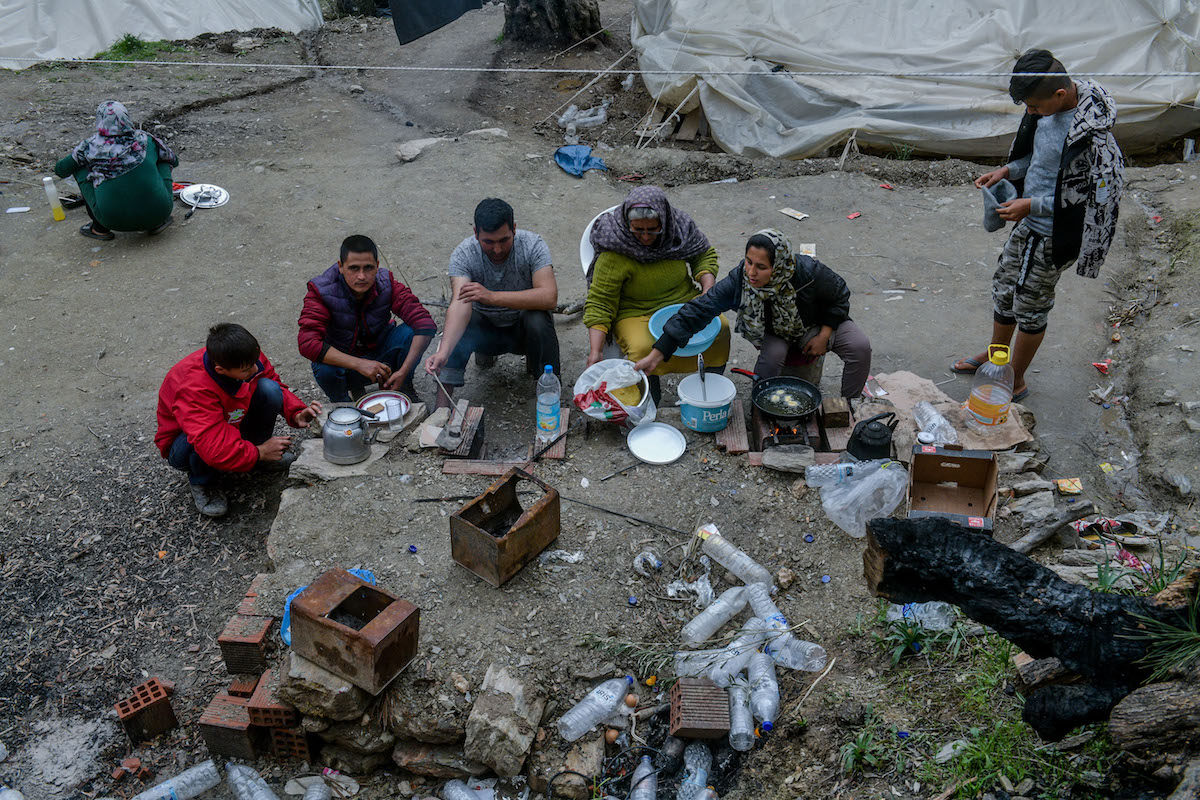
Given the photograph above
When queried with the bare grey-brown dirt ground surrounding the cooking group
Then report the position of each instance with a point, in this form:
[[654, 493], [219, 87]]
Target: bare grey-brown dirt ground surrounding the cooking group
[[110, 576]]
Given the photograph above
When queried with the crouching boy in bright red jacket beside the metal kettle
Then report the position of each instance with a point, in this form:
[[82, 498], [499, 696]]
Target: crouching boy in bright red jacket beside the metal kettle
[[217, 413]]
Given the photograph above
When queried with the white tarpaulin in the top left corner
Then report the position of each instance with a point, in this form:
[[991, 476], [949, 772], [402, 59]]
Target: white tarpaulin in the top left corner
[[79, 29]]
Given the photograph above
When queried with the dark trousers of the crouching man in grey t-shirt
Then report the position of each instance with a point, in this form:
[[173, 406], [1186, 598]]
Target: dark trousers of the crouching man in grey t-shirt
[[532, 335]]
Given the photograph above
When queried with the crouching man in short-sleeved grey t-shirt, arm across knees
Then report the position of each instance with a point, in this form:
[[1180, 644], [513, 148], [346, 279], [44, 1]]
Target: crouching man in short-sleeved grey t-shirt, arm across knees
[[505, 291]]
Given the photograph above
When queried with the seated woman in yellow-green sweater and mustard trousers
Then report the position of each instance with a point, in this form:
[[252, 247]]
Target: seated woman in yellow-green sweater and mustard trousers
[[649, 256]]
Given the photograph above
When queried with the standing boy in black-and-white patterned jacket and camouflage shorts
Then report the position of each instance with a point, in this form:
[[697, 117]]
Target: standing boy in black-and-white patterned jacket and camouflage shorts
[[1069, 173]]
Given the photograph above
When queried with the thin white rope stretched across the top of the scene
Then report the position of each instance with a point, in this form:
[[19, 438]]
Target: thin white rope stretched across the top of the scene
[[787, 74]]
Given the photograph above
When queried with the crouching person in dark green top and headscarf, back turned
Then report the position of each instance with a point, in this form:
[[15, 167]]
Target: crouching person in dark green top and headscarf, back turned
[[124, 176]]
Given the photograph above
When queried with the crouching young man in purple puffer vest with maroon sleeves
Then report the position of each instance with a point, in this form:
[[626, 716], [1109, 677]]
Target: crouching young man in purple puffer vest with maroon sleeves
[[347, 328]]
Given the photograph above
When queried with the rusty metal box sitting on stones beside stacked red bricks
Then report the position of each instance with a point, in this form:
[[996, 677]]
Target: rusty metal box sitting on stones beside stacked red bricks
[[355, 630]]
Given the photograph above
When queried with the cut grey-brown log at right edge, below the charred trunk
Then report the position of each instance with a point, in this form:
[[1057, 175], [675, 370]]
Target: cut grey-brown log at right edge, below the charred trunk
[[1157, 718]]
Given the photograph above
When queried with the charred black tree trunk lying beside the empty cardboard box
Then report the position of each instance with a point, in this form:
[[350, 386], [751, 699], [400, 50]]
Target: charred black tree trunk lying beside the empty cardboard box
[[910, 561]]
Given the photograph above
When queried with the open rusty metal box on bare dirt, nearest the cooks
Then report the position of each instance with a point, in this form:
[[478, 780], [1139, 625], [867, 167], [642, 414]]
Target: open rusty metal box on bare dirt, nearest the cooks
[[495, 538]]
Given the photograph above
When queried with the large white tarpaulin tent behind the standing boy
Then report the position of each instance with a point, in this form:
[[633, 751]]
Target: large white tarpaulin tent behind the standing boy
[[759, 112]]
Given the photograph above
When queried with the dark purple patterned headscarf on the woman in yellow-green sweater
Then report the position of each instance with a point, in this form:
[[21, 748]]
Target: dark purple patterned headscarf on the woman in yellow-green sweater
[[680, 240]]
